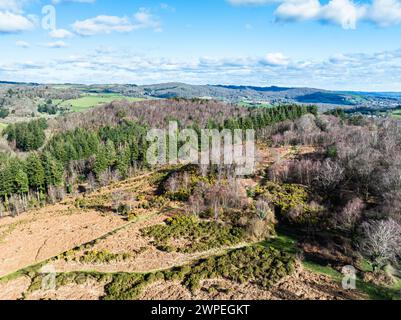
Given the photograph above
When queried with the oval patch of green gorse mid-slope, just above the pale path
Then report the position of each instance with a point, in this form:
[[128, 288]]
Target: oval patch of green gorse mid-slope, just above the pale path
[[199, 235]]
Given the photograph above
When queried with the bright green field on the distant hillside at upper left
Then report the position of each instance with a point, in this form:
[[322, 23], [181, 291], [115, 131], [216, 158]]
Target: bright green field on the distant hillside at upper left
[[91, 101]]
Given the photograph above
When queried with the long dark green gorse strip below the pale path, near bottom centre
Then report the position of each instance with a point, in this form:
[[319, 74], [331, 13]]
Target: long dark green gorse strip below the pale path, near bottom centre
[[258, 265]]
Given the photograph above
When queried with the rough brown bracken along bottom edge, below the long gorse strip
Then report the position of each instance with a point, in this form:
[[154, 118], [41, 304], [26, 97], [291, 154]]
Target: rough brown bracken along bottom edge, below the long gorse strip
[[302, 285]]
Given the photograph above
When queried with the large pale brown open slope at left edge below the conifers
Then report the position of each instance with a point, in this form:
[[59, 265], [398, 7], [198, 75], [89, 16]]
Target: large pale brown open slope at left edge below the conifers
[[47, 232]]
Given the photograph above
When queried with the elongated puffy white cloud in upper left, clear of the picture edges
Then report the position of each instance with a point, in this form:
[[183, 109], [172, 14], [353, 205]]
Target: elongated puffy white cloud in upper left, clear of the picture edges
[[143, 19]]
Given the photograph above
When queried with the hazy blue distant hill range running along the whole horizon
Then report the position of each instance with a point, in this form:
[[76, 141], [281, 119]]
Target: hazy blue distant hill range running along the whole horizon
[[251, 95]]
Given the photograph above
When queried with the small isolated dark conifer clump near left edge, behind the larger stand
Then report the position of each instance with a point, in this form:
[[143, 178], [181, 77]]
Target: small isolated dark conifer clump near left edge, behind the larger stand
[[27, 136]]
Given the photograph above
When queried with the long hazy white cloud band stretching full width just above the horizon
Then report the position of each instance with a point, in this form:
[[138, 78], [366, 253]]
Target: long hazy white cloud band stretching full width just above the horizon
[[380, 71]]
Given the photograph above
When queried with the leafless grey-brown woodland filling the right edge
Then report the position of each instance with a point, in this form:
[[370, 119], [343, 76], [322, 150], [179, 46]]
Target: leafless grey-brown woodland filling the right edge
[[352, 181]]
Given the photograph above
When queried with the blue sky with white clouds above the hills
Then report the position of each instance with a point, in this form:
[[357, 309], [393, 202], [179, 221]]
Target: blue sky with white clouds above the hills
[[331, 44]]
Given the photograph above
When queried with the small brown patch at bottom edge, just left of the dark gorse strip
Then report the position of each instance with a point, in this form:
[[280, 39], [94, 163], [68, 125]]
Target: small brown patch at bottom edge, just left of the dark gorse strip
[[90, 290]]
